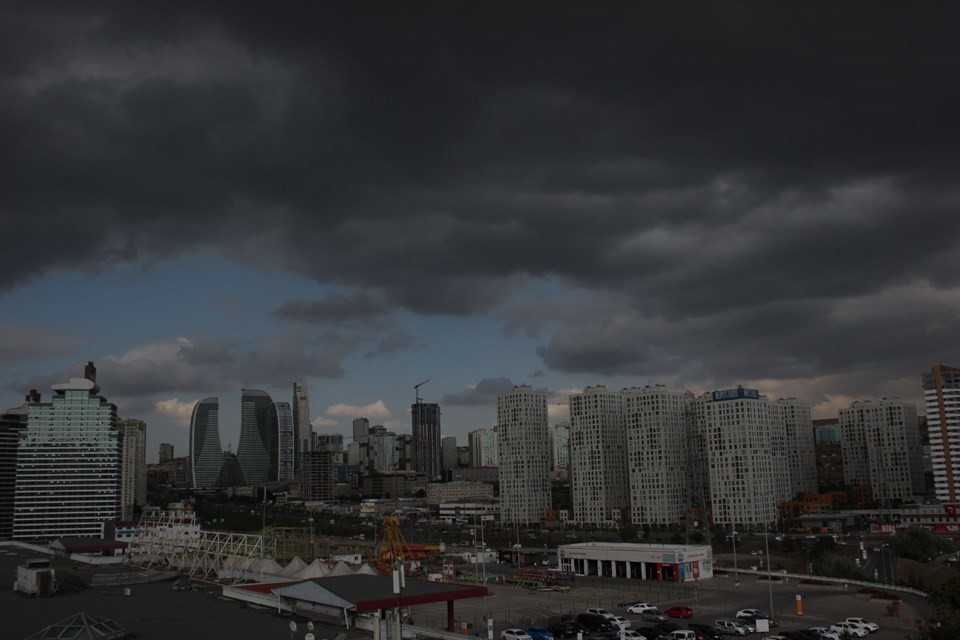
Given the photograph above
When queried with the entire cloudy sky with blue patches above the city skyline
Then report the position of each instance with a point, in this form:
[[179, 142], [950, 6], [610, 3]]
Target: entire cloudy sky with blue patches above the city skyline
[[201, 197]]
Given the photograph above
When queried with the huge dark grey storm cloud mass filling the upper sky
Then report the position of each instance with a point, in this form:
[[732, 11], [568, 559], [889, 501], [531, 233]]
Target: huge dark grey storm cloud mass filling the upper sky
[[733, 177]]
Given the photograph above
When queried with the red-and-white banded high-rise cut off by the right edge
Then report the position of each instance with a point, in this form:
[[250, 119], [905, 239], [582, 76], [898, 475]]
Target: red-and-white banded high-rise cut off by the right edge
[[941, 397]]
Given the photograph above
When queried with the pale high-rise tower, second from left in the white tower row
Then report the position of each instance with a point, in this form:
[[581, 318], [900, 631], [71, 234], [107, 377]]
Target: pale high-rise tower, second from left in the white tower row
[[598, 457]]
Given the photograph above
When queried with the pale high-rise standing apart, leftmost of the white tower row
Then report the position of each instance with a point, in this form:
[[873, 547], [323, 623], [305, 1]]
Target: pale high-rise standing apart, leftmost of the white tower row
[[524, 456]]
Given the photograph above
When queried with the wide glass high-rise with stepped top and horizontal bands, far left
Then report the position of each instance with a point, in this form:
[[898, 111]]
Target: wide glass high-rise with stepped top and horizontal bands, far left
[[68, 464]]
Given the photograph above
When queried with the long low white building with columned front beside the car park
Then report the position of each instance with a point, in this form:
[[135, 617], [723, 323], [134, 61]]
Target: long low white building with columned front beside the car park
[[633, 561]]
